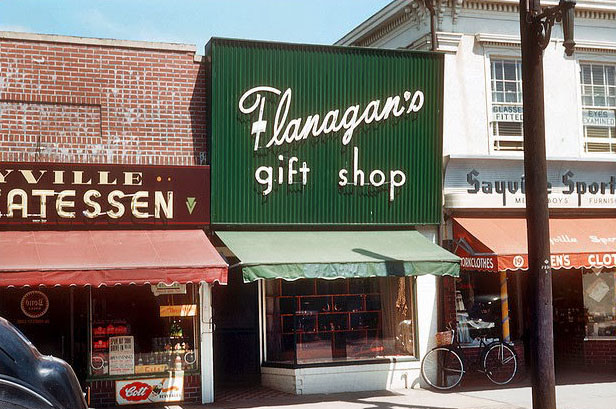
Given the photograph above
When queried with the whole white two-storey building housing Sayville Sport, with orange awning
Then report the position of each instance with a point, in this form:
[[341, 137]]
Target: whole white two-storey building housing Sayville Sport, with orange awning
[[483, 152]]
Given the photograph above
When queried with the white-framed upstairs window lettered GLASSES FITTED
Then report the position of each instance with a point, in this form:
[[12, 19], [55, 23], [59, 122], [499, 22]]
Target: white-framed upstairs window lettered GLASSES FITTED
[[506, 113]]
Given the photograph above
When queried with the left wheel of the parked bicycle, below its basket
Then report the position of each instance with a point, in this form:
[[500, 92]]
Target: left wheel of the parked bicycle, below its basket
[[442, 368]]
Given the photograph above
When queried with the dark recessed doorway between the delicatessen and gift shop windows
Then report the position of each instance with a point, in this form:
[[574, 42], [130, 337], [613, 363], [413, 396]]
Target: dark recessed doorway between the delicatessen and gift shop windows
[[236, 335]]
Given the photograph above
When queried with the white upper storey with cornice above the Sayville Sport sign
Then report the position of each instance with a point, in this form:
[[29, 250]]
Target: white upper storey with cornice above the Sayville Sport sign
[[481, 38]]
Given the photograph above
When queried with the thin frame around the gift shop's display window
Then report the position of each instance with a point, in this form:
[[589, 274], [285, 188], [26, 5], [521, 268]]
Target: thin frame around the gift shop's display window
[[360, 361]]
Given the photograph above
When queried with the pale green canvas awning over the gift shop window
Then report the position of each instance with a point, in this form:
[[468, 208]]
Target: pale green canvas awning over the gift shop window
[[337, 254]]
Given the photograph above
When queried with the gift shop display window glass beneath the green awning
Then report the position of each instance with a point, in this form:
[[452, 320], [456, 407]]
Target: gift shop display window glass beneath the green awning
[[316, 320]]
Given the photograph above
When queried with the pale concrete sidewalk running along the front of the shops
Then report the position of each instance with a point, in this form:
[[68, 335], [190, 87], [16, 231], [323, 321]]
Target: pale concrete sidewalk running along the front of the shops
[[575, 391]]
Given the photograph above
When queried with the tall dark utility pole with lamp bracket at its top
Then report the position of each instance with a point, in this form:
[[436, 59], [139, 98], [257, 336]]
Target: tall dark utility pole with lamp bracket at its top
[[535, 30]]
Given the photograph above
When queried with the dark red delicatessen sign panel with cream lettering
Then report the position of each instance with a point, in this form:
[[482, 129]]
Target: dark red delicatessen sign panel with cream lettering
[[53, 194]]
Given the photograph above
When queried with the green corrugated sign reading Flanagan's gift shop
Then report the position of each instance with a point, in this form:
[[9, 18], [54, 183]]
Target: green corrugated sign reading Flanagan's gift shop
[[319, 135]]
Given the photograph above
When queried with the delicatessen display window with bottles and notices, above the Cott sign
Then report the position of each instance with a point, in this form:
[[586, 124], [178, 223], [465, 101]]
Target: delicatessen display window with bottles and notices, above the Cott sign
[[140, 330]]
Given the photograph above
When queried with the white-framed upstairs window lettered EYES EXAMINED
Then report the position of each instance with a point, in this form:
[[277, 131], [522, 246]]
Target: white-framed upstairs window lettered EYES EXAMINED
[[598, 107]]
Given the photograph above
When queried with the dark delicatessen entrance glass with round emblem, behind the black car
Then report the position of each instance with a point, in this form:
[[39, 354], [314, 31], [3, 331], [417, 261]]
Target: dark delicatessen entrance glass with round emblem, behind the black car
[[53, 319]]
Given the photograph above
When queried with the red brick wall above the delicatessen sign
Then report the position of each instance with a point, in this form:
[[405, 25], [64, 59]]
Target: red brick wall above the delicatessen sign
[[78, 100]]
